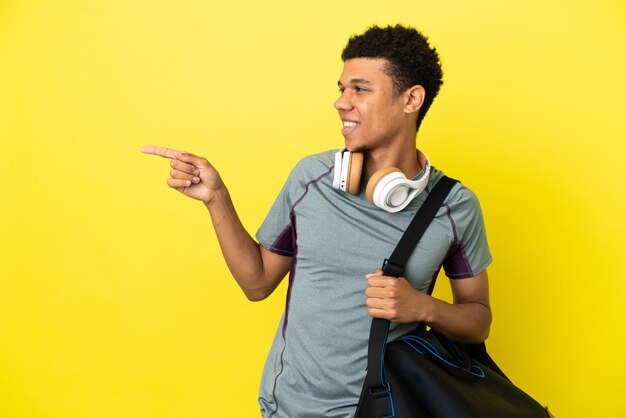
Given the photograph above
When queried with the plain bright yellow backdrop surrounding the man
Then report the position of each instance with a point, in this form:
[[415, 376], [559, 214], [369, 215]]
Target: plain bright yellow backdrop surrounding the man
[[114, 298]]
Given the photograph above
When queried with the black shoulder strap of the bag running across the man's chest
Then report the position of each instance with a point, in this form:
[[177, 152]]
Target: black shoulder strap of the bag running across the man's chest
[[375, 380]]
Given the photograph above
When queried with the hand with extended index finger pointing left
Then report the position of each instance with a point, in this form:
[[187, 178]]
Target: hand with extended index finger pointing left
[[191, 175]]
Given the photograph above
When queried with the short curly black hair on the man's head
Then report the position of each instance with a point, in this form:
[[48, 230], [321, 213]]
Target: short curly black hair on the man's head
[[411, 59]]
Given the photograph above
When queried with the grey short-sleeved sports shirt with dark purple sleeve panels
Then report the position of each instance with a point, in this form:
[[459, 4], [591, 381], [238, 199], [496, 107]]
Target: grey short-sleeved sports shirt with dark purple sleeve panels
[[317, 361]]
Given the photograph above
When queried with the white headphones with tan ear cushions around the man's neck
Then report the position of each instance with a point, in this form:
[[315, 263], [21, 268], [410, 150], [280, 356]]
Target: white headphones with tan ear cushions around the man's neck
[[388, 188]]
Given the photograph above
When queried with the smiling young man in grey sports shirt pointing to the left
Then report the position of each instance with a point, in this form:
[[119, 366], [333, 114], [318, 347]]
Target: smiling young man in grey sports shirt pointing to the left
[[332, 242]]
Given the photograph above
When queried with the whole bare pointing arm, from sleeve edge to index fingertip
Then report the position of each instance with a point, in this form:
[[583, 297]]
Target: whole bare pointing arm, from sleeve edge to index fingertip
[[257, 270]]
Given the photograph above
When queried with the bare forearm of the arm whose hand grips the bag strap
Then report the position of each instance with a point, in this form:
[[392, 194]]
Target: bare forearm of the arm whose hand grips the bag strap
[[461, 322]]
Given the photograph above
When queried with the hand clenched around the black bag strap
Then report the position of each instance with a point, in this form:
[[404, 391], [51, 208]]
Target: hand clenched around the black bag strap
[[395, 299]]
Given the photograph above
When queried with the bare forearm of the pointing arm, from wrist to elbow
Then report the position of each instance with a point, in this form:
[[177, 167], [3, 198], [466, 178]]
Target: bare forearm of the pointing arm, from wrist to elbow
[[241, 252]]
